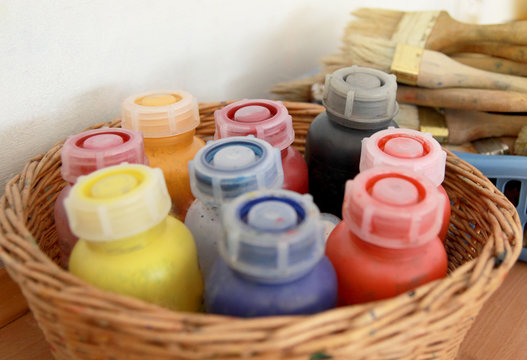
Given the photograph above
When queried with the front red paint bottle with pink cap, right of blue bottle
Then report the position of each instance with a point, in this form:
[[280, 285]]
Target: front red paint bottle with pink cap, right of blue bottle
[[387, 243]]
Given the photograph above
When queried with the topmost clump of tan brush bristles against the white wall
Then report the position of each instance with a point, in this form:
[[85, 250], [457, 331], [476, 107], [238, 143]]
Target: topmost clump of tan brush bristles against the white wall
[[374, 22]]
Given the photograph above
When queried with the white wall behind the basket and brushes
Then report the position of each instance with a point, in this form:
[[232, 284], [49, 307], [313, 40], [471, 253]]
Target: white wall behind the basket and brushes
[[66, 64]]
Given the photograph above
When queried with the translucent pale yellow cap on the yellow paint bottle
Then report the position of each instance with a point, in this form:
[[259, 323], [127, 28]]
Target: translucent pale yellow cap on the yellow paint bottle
[[117, 202]]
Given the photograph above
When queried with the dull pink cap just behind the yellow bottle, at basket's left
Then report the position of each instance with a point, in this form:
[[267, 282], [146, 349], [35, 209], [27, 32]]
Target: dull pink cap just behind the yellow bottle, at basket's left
[[96, 149]]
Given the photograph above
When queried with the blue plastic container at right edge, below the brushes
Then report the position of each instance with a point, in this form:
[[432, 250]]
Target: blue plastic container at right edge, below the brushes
[[509, 174]]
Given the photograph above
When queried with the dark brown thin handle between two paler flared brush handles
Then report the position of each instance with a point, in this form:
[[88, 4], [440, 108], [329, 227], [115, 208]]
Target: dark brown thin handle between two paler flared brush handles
[[516, 53]]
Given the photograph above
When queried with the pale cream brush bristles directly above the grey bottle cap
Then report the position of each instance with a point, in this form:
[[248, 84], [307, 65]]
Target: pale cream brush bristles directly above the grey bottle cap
[[371, 52]]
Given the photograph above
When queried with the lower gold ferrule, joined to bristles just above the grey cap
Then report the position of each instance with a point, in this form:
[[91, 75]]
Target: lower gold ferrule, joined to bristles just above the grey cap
[[406, 62]]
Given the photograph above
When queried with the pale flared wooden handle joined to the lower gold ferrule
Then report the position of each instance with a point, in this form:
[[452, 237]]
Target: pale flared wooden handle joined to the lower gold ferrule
[[437, 70]]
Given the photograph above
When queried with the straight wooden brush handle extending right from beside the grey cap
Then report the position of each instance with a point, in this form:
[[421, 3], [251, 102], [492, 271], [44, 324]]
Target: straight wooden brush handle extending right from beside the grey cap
[[467, 99]]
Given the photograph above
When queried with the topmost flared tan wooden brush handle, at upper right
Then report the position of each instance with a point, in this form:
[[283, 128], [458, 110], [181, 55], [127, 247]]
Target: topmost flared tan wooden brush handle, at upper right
[[447, 31]]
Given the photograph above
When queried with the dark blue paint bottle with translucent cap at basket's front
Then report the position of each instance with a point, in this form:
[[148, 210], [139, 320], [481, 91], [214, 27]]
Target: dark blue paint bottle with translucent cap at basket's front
[[272, 258]]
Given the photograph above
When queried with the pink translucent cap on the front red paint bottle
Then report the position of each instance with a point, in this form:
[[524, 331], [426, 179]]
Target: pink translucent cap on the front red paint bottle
[[392, 208]]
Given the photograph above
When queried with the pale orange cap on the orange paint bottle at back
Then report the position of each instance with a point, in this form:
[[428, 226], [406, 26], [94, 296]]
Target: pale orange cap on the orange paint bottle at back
[[160, 113]]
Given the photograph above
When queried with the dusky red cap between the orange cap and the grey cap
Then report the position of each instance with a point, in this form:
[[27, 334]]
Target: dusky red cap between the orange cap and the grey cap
[[267, 120]]
